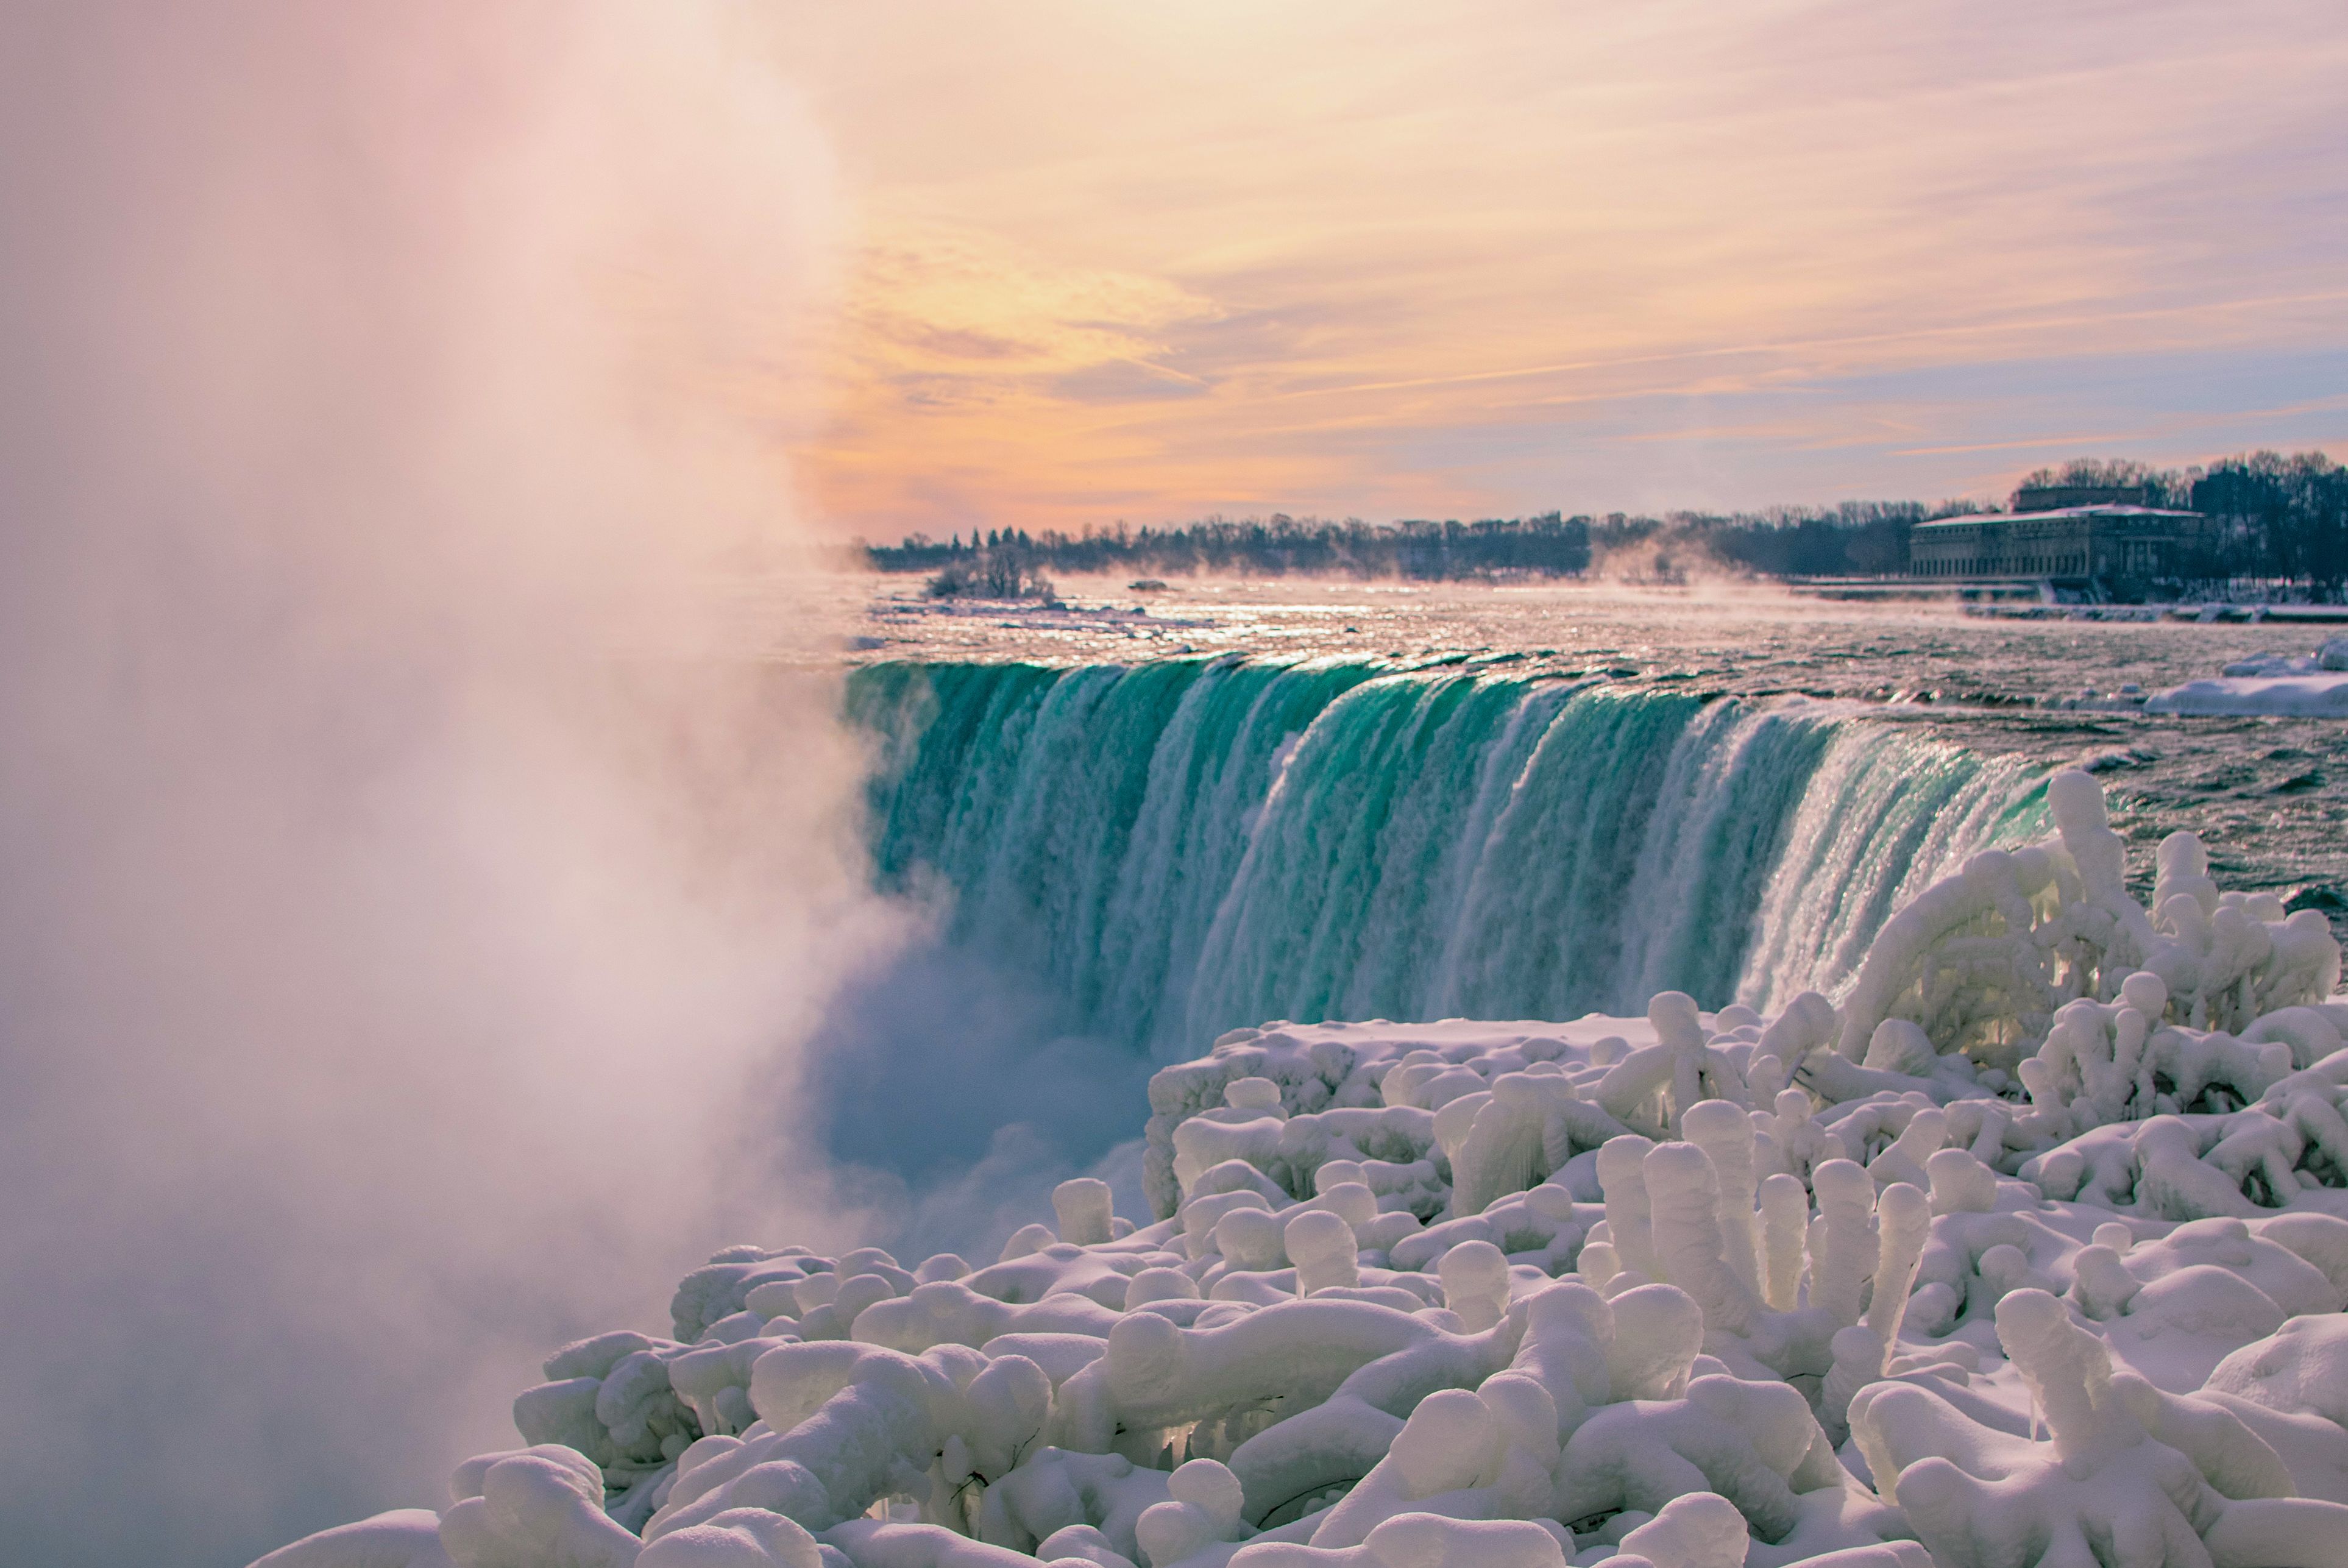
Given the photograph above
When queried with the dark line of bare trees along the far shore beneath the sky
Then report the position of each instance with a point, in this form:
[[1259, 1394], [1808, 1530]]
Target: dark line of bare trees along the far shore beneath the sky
[[2272, 518]]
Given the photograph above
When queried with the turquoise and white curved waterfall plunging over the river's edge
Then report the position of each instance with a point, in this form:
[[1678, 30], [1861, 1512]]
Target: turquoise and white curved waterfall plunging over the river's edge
[[1180, 849]]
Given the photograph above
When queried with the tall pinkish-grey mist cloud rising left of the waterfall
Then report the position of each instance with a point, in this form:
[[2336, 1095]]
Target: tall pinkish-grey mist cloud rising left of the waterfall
[[410, 898]]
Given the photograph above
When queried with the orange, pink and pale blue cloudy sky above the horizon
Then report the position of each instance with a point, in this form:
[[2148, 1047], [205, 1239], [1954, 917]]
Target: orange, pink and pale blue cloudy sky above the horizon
[[1109, 262]]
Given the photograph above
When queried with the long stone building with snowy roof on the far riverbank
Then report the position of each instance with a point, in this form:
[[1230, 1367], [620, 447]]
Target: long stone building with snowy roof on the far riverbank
[[2100, 550]]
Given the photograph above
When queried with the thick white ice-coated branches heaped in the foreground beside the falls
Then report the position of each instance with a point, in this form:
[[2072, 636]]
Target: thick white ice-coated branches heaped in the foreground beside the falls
[[2032, 1248]]
